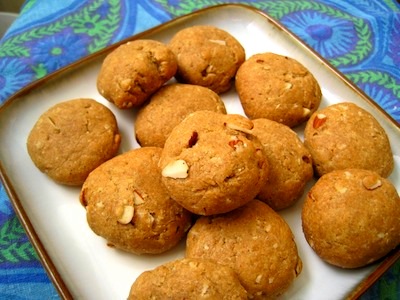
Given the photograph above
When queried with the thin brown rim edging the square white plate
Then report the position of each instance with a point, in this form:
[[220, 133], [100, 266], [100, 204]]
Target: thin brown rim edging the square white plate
[[20, 212]]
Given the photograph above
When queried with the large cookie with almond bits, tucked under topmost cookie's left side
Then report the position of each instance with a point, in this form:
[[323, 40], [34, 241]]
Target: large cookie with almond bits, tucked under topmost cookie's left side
[[127, 205]]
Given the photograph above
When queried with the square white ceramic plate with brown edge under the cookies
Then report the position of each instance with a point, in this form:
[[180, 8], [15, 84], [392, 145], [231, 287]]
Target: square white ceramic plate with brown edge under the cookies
[[89, 268]]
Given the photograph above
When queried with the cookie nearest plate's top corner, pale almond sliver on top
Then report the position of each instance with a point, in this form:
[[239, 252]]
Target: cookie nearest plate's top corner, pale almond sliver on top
[[207, 56]]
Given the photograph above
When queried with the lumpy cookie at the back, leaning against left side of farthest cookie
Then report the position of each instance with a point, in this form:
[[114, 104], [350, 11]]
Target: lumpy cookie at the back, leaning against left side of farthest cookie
[[134, 71]]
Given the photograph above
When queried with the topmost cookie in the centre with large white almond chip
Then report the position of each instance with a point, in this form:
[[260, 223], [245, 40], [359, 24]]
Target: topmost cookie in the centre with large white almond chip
[[211, 163]]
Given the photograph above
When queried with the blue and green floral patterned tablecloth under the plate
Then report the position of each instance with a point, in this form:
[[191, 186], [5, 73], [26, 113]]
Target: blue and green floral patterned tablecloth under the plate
[[359, 37]]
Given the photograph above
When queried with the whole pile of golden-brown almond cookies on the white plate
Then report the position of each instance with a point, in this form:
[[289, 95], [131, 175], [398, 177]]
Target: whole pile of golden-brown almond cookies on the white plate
[[219, 179]]
